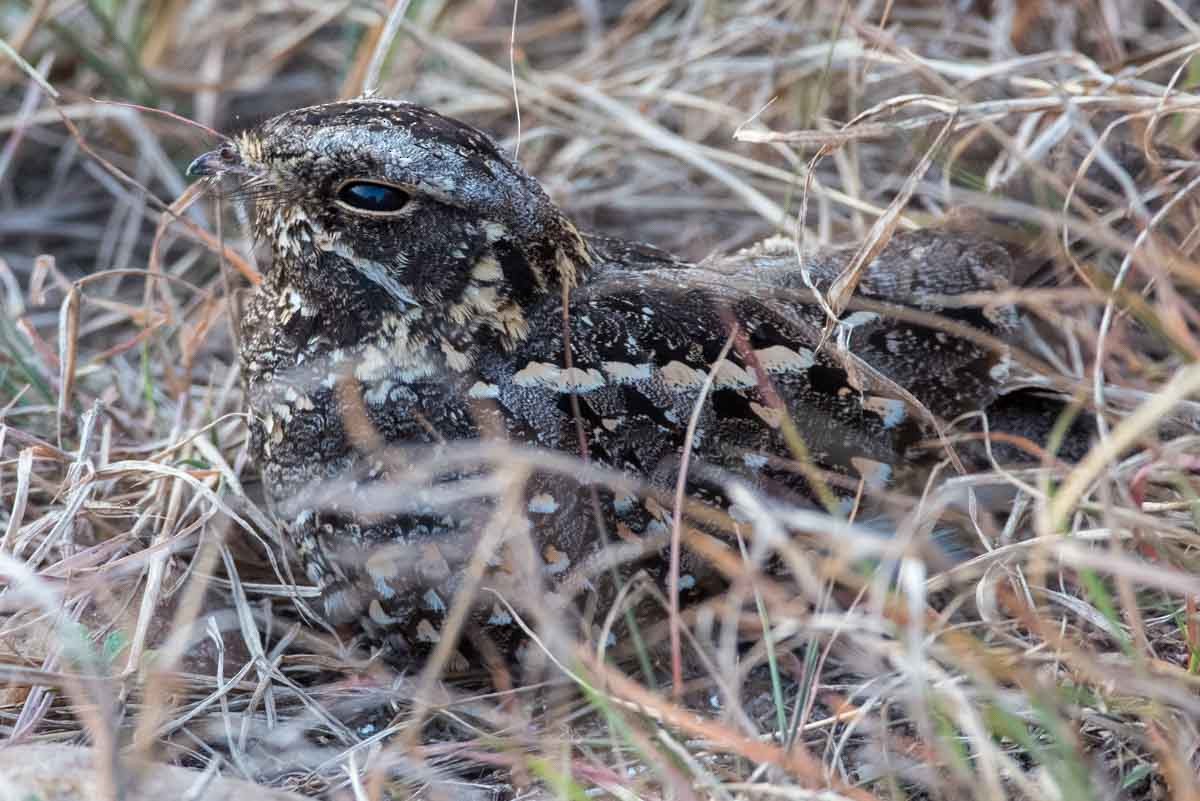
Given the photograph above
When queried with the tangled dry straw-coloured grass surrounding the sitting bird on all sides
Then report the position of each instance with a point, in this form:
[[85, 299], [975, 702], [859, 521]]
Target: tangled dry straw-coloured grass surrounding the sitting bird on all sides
[[148, 607]]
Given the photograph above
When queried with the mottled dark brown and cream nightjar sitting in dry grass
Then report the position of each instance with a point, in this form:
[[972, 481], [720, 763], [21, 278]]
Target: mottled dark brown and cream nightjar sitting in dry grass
[[417, 299]]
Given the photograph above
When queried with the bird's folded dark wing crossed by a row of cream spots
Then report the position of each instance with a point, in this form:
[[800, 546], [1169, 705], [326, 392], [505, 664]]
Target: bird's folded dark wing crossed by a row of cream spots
[[643, 346]]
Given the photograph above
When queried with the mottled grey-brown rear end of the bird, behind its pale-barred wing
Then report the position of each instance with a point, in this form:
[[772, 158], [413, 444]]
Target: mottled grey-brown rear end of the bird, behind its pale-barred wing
[[929, 311]]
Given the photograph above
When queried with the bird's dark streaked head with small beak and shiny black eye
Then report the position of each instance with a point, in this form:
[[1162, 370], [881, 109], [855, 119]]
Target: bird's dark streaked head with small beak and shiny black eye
[[406, 207]]
